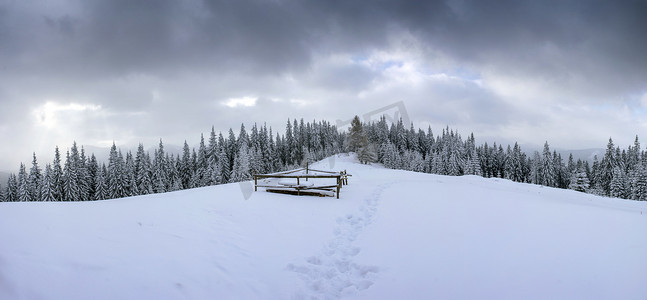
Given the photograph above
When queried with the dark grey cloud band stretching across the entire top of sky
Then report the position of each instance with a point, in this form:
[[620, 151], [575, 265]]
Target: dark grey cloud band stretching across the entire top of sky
[[565, 40]]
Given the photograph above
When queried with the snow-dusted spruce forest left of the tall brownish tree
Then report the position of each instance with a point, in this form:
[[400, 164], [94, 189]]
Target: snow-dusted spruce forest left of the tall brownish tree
[[80, 177]]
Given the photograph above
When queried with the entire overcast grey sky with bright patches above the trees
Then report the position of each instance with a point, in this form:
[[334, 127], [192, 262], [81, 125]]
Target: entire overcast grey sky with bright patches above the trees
[[572, 73]]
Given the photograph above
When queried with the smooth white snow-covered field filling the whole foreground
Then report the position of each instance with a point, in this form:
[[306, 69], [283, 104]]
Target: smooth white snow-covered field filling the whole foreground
[[392, 235]]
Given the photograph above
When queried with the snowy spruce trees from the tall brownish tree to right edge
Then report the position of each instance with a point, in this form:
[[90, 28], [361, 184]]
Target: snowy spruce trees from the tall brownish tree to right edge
[[619, 173]]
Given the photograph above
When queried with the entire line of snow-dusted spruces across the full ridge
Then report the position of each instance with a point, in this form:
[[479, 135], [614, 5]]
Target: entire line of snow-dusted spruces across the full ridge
[[619, 173]]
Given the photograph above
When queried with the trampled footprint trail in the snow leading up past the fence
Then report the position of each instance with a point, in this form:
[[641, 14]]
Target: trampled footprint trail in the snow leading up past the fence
[[332, 273]]
